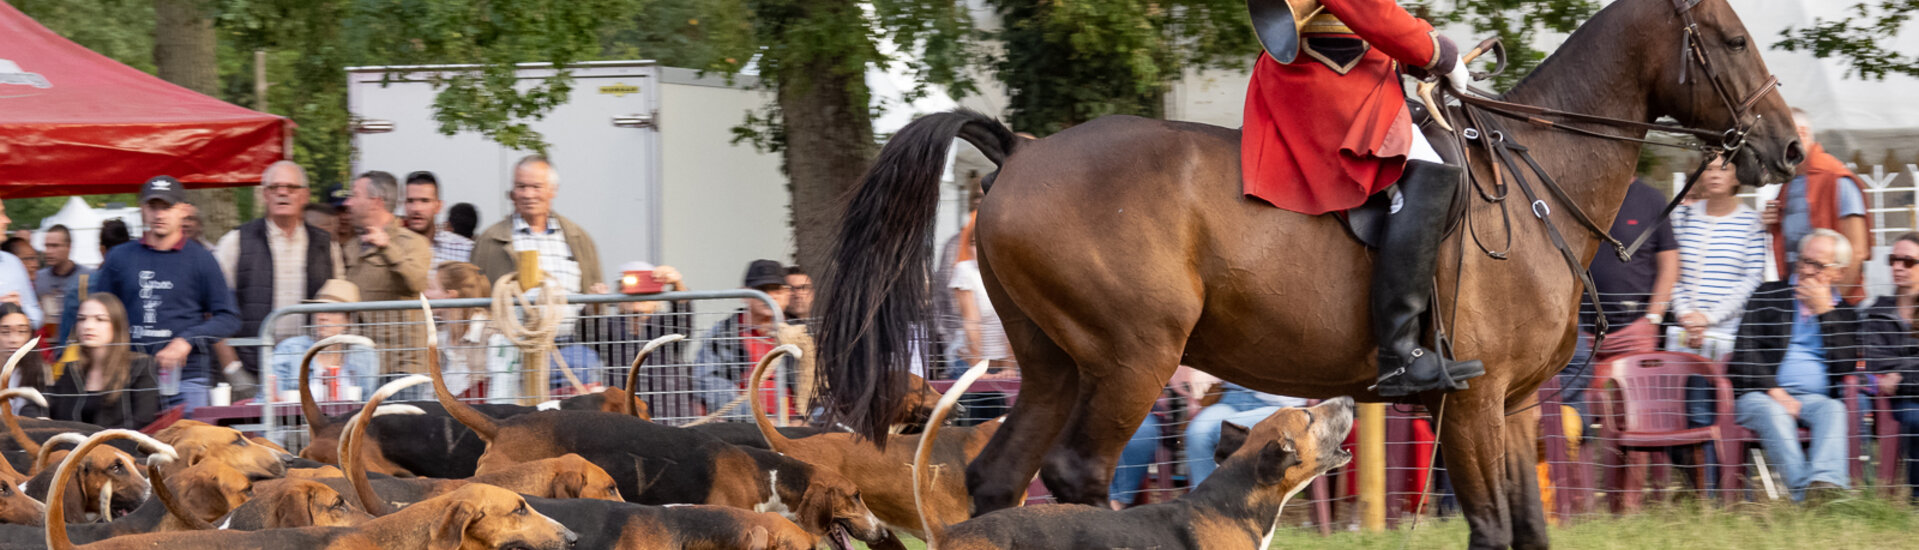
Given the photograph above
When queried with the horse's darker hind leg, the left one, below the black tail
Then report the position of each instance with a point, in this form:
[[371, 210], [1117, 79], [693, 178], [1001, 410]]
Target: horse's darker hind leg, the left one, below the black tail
[[1049, 388]]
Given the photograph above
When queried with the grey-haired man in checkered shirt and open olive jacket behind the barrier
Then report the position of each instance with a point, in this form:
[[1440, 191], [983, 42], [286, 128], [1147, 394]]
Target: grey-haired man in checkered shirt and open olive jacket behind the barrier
[[567, 254]]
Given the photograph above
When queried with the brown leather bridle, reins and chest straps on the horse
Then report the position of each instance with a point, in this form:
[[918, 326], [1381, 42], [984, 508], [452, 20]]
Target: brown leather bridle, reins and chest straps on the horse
[[1513, 160]]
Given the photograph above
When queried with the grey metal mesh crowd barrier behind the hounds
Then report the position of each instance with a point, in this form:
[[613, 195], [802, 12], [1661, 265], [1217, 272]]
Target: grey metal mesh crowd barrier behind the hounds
[[485, 361]]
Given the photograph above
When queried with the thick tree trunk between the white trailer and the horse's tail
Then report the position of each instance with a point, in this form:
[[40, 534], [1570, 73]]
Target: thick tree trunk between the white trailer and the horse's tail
[[830, 145]]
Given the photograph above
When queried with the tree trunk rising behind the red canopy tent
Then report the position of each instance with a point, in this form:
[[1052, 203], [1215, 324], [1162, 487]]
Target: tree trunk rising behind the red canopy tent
[[183, 53]]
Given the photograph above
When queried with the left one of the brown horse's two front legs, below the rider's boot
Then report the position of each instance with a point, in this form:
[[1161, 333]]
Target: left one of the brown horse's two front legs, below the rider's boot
[[1473, 436]]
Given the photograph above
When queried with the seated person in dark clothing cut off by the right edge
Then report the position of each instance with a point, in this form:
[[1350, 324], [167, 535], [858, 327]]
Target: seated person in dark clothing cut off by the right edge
[[1893, 348]]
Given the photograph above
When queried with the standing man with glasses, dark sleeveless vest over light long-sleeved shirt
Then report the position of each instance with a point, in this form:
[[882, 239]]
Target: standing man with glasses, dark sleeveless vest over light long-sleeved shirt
[[277, 262]]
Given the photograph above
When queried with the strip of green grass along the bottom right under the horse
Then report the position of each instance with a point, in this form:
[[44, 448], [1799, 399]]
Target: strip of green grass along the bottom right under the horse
[[1841, 524]]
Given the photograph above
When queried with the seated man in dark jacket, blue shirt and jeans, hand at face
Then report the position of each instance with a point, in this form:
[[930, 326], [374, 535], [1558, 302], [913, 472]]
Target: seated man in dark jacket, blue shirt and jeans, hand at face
[[1795, 344]]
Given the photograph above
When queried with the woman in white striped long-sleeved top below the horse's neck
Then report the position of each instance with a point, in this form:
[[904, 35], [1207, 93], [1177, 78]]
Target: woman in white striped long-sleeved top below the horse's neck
[[1722, 258]]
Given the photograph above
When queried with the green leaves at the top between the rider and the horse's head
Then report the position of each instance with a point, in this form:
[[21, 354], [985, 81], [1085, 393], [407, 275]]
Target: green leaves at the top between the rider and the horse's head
[[1517, 24]]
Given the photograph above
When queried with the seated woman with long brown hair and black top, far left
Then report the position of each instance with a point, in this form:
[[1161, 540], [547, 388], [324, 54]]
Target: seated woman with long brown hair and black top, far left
[[110, 384]]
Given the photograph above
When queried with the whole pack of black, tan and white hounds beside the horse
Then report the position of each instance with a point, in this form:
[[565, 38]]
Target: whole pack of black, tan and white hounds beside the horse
[[596, 472]]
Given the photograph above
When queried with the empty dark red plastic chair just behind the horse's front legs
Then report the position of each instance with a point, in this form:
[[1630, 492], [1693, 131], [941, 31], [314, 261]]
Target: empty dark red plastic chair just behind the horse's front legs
[[1642, 407]]
